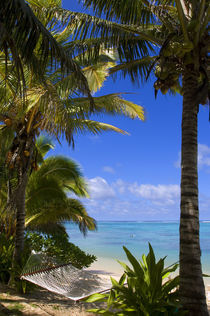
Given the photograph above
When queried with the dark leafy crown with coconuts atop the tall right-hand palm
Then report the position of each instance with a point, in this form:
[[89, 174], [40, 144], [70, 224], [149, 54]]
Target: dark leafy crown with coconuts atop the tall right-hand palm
[[162, 36]]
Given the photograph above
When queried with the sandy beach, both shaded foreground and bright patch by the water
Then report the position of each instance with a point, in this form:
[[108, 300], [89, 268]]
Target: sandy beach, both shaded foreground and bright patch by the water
[[44, 303]]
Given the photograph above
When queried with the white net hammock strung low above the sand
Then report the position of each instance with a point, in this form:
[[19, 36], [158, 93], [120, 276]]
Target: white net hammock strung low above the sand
[[64, 279]]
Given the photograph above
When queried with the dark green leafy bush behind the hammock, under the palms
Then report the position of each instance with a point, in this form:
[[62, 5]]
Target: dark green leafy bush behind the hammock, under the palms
[[56, 246]]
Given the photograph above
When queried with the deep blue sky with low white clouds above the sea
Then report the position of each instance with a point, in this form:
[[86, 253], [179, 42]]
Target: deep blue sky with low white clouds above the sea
[[137, 177]]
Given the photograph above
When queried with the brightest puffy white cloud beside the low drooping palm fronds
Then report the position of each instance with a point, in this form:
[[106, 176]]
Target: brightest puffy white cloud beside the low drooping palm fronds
[[100, 189]]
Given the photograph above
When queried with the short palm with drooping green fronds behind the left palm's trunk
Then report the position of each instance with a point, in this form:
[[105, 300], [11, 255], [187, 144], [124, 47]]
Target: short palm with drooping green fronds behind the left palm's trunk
[[48, 201]]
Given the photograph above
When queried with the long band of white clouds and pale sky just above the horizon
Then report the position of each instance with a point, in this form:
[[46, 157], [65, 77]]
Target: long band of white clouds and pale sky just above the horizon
[[122, 200]]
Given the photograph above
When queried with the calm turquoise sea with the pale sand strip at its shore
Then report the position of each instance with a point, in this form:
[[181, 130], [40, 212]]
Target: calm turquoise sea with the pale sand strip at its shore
[[107, 242]]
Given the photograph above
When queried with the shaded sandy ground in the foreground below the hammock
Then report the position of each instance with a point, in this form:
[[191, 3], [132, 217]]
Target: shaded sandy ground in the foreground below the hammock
[[43, 303]]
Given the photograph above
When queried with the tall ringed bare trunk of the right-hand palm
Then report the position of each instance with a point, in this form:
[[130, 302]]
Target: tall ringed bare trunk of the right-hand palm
[[192, 290]]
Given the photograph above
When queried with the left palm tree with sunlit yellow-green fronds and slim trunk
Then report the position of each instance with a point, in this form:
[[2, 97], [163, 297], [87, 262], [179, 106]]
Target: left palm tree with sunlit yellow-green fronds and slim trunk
[[51, 107]]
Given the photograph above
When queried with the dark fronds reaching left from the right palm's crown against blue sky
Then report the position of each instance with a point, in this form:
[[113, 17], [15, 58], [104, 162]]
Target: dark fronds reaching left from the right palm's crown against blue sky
[[127, 41]]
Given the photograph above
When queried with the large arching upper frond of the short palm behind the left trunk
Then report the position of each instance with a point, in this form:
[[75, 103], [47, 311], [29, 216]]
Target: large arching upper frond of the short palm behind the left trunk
[[56, 177]]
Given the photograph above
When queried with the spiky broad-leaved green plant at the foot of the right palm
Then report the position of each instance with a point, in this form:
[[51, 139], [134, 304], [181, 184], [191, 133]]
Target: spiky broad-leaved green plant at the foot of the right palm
[[141, 289]]
